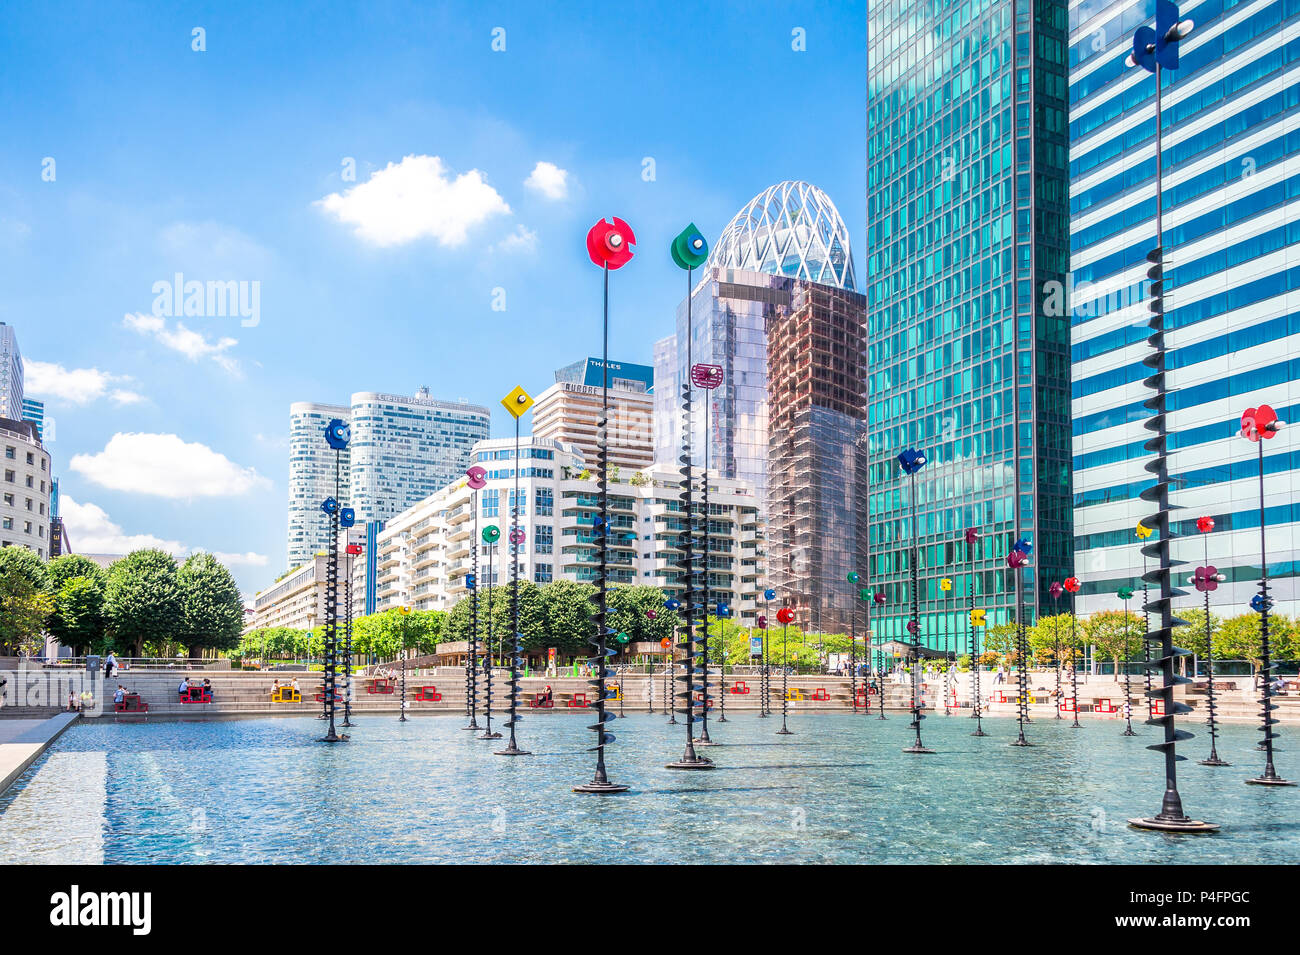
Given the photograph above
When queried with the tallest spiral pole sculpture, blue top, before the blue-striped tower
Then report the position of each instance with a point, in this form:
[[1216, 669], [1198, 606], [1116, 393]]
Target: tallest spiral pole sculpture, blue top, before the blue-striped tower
[[1158, 51]]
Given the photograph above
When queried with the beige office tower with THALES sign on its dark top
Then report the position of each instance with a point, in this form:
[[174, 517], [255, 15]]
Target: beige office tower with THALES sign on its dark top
[[570, 410]]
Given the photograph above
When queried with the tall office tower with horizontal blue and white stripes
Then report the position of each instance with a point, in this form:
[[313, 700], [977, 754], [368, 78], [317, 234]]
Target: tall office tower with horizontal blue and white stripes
[[1232, 136]]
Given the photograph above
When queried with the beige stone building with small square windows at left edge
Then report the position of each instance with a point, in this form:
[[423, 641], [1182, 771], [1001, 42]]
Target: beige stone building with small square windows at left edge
[[25, 488]]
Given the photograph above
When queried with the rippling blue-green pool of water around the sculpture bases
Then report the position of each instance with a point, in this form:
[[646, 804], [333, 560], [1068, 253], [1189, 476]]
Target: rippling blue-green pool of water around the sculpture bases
[[840, 791]]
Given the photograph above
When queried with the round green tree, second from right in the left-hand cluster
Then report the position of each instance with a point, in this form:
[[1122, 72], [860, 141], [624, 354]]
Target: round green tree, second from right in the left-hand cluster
[[144, 604]]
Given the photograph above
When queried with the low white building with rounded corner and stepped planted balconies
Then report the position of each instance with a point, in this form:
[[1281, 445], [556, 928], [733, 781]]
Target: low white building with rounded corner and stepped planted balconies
[[426, 552]]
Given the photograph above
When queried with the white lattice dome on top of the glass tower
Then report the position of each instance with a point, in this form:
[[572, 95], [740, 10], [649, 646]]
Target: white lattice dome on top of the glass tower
[[790, 229]]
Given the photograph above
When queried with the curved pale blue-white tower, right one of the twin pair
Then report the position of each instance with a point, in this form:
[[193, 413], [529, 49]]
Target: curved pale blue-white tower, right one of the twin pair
[[406, 449]]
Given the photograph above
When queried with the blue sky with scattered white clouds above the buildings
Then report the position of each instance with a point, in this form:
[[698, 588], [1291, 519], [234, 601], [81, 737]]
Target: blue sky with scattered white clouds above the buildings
[[229, 166]]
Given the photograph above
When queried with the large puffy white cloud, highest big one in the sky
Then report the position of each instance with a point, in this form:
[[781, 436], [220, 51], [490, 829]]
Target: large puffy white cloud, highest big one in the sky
[[414, 199]]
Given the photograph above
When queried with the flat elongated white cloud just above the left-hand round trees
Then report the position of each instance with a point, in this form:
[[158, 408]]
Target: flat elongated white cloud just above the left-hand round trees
[[166, 467]]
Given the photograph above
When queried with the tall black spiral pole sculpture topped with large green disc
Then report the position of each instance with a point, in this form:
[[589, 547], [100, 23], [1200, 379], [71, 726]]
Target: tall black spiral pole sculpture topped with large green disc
[[690, 251]]
